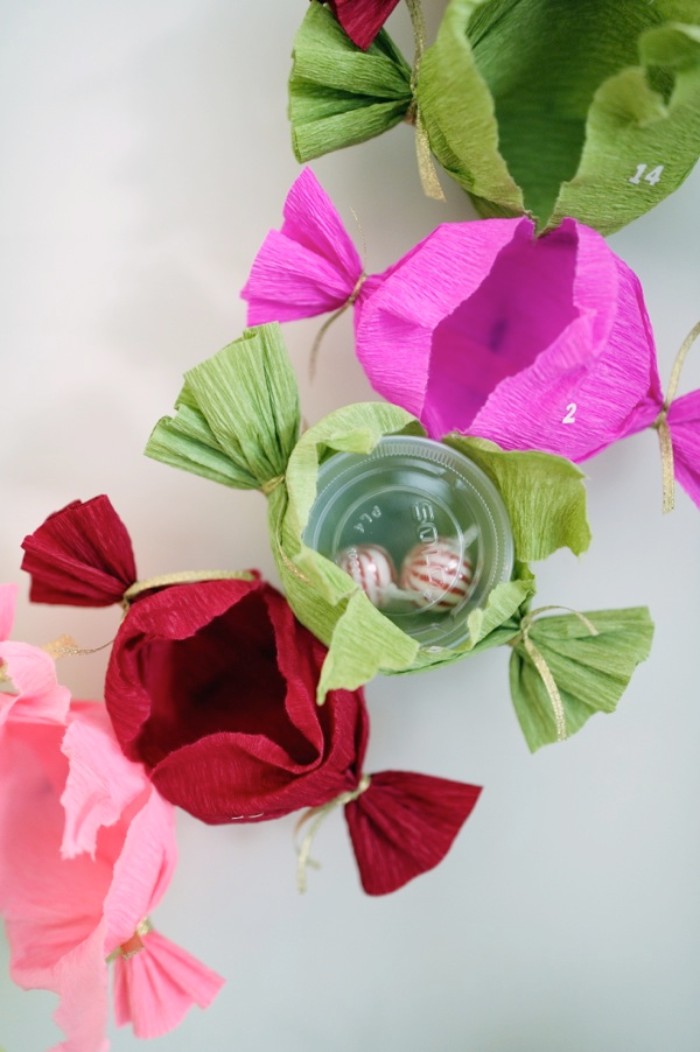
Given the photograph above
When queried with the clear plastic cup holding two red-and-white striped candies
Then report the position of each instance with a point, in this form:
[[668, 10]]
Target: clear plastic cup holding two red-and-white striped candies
[[419, 528]]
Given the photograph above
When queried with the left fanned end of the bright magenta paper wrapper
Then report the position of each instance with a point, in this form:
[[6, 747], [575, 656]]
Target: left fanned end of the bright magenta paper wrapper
[[310, 267]]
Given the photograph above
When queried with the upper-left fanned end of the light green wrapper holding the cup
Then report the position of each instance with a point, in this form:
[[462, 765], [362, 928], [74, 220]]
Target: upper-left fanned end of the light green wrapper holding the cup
[[237, 416]]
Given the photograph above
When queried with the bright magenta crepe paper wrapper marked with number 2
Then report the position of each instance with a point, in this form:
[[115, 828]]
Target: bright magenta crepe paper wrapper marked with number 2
[[535, 343]]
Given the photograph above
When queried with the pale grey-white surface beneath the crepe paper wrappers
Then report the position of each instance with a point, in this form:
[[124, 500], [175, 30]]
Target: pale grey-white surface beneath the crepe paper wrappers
[[145, 156]]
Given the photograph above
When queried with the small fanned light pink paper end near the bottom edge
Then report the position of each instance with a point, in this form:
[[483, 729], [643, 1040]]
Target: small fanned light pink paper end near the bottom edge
[[155, 989]]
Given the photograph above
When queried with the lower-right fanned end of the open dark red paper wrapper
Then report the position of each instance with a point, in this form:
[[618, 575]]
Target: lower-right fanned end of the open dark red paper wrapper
[[404, 825]]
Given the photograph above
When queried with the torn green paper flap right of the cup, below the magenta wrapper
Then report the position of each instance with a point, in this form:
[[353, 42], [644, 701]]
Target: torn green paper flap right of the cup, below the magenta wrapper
[[545, 496]]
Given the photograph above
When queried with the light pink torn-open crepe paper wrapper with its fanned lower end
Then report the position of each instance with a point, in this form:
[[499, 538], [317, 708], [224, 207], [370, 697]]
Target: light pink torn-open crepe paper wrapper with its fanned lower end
[[87, 852]]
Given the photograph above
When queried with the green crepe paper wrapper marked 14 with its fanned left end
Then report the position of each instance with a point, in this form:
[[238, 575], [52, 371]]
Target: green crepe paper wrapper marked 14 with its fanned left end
[[592, 113]]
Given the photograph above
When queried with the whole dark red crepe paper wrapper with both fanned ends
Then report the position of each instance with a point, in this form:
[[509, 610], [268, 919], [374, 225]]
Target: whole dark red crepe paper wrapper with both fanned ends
[[212, 685]]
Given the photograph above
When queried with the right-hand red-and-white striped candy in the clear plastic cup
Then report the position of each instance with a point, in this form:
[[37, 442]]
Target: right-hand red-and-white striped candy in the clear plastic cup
[[437, 574]]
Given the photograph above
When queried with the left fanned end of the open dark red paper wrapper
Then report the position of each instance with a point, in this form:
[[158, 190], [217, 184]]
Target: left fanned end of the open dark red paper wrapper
[[82, 556]]
